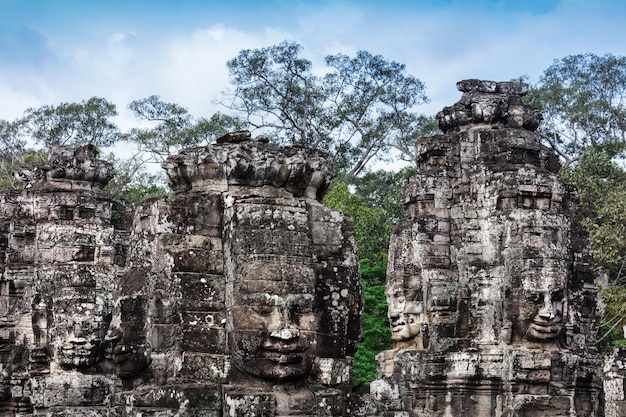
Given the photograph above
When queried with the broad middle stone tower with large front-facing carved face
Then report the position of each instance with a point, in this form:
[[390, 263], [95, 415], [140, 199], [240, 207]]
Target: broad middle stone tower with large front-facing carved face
[[242, 296]]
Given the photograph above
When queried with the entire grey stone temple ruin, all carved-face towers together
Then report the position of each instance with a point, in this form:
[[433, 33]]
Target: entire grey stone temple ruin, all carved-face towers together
[[239, 295]]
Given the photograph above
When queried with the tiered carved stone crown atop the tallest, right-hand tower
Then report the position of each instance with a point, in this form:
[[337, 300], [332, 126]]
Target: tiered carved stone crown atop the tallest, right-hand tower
[[489, 104]]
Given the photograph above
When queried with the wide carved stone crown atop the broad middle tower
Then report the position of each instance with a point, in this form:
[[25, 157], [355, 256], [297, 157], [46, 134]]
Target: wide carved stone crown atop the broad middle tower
[[237, 159]]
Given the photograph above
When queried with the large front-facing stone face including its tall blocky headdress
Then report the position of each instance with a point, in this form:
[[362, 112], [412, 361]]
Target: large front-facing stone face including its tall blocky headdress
[[273, 322]]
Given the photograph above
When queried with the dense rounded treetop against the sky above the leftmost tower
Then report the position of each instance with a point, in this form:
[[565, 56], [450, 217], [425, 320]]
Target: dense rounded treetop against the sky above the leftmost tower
[[73, 124]]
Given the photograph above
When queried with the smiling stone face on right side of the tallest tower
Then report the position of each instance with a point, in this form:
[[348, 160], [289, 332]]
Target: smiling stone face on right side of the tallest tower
[[541, 304]]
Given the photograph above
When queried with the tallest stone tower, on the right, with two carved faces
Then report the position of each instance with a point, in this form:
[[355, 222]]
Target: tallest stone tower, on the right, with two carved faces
[[492, 302]]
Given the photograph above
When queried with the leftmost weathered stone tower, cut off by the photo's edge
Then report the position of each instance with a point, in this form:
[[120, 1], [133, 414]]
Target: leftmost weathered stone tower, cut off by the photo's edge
[[61, 260]]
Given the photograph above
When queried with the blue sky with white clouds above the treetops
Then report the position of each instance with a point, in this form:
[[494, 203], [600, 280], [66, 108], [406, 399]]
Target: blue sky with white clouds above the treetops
[[54, 51]]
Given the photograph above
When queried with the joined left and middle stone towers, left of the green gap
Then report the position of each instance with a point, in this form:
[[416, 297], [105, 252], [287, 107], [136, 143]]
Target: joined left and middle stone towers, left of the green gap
[[238, 295]]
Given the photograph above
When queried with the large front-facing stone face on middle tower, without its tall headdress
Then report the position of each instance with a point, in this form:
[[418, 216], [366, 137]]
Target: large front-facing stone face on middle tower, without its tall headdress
[[274, 322]]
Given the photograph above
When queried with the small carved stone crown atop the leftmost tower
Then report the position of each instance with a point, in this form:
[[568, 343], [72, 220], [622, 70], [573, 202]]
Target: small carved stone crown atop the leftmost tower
[[67, 169]]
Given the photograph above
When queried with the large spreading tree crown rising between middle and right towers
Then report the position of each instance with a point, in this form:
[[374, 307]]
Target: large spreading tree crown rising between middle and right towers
[[357, 111]]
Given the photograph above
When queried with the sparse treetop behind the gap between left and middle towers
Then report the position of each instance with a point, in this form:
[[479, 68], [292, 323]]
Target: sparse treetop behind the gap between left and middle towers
[[173, 128]]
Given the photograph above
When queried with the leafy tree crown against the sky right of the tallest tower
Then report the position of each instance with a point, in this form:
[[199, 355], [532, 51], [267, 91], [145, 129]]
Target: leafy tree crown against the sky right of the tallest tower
[[583, 101]]
